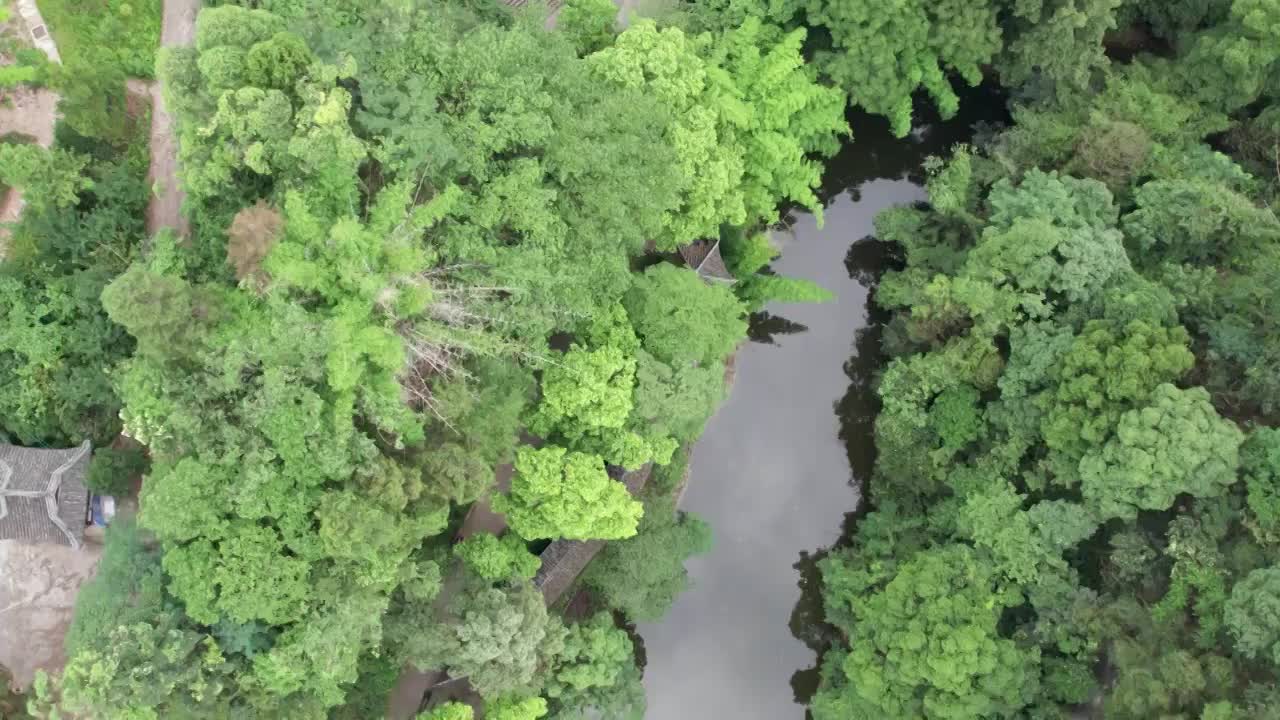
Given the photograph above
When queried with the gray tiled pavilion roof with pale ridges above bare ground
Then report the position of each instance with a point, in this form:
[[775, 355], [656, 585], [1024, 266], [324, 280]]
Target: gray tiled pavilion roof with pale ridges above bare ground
[[43, 495]]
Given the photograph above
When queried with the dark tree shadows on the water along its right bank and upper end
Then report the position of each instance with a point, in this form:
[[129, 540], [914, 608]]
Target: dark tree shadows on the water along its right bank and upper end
[[874, 154]]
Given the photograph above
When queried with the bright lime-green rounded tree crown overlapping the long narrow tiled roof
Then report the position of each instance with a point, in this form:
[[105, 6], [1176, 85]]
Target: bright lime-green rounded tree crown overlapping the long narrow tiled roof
[[559, 494]]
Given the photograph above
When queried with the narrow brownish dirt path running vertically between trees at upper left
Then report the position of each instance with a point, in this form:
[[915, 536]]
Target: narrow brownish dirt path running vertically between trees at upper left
[[166, 209]]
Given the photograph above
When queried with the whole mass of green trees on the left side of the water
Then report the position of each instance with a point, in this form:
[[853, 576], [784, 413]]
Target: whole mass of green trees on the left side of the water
[[394, 209]]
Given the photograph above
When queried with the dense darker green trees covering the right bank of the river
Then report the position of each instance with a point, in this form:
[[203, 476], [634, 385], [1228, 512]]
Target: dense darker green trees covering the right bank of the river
[[1064, 412]]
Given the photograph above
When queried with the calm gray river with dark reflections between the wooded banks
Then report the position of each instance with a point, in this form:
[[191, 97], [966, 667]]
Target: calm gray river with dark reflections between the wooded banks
[[781, 468]]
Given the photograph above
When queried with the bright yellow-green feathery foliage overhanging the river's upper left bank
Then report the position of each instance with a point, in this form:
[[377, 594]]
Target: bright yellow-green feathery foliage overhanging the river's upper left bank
[[747, 115]]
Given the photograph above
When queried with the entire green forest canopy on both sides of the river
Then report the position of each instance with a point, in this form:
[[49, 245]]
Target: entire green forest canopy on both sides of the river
[[432, 275]]
